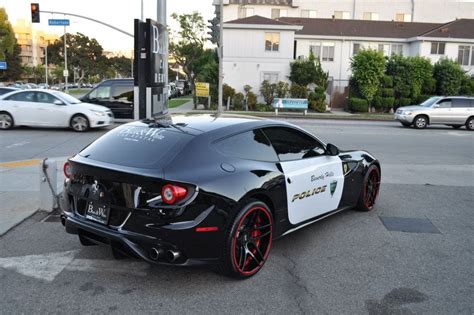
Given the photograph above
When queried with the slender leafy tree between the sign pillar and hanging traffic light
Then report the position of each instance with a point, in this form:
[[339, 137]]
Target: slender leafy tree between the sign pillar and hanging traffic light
[[187, 46]]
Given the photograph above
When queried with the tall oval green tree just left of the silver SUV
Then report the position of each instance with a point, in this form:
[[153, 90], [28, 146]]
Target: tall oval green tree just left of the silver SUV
[[368, 68]]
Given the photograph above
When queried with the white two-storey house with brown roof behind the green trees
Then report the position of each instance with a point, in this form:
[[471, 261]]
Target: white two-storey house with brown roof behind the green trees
[[258, 48]]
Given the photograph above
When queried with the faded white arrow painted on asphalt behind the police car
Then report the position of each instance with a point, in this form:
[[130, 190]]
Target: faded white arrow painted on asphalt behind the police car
[[46, 267]]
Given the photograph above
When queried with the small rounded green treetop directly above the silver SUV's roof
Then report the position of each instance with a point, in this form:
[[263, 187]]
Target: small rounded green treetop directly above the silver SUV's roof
[[449, 76]]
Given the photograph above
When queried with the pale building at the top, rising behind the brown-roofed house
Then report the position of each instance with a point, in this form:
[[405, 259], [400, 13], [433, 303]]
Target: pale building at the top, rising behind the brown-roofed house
[[440, 11]]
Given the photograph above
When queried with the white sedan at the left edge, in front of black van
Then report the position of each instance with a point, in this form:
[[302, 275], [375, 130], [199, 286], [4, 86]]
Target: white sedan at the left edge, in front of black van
[[50, 109]]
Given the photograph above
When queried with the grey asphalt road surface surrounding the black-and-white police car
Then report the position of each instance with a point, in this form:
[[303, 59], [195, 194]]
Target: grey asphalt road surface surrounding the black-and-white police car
[[349, 263]]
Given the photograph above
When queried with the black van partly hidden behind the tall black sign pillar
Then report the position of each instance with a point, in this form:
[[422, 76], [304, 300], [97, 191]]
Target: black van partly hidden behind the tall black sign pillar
[[116, 94]]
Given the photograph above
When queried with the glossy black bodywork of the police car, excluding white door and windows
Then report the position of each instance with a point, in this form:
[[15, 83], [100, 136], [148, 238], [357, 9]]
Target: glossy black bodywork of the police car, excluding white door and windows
[[222, 191]]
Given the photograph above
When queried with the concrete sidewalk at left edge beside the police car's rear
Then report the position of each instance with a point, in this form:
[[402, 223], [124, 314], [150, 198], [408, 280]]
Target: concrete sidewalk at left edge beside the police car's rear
[[20, 190]]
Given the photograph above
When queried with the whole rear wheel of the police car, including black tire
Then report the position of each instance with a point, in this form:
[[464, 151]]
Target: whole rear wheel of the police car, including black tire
[[248, 241]]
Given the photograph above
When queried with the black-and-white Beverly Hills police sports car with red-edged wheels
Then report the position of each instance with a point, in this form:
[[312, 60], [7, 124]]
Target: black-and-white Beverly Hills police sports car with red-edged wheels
[[204, 189]]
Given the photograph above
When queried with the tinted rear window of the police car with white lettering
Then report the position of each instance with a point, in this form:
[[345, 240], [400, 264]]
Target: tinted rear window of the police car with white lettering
[[137, 146]]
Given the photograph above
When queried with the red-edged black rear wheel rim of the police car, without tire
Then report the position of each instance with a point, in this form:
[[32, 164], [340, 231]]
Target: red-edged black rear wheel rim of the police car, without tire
[[252, 241]]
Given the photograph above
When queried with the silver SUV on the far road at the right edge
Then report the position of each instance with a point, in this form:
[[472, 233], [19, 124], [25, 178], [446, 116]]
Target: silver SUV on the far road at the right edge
[[455, 111]]
